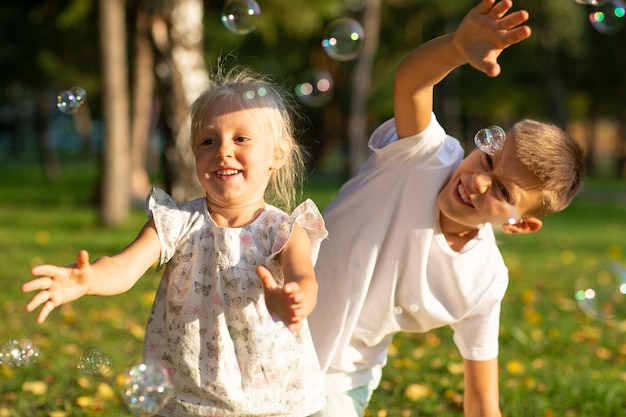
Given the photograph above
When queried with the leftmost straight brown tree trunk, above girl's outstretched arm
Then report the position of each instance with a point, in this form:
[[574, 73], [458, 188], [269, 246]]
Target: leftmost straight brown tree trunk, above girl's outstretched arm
[[115, 186]]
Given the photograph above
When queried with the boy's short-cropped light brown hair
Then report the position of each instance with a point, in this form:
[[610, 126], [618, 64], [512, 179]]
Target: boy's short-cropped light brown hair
[[554, 158]]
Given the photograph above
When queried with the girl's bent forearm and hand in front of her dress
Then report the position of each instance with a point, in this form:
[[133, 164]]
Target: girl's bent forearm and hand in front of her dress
[[298, 296]]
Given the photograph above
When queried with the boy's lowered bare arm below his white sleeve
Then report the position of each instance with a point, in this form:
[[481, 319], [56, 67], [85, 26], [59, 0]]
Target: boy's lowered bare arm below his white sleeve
[[481, 389]]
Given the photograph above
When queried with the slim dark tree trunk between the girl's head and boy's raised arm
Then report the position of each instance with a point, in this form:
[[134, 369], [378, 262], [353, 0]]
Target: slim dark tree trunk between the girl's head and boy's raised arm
[[361, 81]]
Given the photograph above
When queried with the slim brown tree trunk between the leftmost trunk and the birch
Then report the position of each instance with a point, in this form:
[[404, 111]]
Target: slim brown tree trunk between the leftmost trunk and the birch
[[143, 105]]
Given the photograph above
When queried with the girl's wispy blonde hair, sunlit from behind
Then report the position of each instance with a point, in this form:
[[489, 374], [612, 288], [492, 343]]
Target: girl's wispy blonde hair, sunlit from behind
[[242, 87]]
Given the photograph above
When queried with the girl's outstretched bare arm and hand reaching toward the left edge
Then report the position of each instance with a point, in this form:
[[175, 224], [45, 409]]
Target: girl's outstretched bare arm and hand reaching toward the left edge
[[106, 276]]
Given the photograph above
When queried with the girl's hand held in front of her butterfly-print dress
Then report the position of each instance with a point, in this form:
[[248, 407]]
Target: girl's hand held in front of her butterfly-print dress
[[284, 303]]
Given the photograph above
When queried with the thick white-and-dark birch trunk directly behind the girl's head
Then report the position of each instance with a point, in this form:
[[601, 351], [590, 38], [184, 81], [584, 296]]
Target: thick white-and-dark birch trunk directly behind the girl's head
[[182, 74]]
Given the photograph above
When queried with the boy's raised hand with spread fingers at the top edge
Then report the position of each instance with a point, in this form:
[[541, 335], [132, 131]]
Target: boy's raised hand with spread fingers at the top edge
[[487, 30]]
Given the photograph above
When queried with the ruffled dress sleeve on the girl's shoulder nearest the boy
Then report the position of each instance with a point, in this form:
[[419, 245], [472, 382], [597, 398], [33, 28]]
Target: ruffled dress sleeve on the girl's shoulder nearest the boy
[[308, 216]]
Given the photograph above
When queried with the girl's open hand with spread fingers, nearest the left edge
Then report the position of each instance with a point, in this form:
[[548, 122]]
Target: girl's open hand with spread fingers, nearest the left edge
[[57, 285]]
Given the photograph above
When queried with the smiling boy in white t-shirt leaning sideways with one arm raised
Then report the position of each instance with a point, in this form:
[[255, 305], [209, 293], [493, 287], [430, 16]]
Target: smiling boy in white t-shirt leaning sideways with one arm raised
[[410, 245]]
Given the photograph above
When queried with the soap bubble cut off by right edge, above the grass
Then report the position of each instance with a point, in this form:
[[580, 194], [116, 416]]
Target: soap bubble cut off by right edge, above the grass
[[601, 292]]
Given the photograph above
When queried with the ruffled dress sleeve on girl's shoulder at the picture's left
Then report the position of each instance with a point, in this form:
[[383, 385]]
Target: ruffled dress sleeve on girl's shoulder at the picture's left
[[171, 220]]
